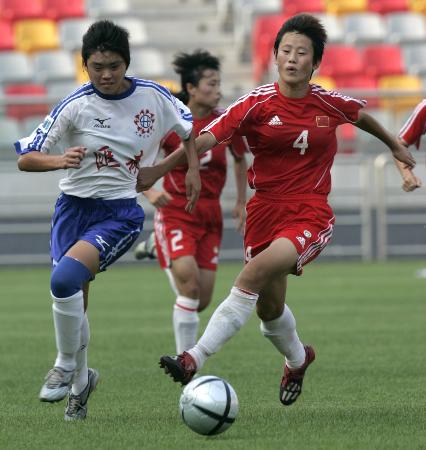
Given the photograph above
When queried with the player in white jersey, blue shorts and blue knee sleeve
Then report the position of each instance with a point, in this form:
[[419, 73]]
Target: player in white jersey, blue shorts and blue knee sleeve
[[107, 129]]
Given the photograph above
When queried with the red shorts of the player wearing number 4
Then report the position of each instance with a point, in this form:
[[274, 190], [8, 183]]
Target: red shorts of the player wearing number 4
[[306, 220]]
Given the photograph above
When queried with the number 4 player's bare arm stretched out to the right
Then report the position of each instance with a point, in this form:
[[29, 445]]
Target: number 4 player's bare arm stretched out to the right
[[400, 152]]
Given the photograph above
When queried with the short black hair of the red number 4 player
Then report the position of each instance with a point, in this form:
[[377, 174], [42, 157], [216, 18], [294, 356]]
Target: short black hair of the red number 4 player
[[309, 26]]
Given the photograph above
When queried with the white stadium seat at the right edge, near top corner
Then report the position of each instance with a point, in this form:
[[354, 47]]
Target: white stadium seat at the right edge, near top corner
[[406, 27]]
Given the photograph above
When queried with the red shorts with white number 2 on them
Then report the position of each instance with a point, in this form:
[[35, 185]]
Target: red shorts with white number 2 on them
[[197, 234]]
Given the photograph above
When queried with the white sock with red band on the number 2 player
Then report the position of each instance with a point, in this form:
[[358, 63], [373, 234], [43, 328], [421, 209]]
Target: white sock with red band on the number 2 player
[[185, 323]]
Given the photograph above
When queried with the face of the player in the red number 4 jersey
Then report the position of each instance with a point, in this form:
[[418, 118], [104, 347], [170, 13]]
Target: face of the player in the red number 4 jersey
[[295, 60]]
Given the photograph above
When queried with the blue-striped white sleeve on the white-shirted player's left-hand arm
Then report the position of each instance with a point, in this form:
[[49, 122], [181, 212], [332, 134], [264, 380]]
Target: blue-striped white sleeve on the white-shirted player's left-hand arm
[[47, 134]]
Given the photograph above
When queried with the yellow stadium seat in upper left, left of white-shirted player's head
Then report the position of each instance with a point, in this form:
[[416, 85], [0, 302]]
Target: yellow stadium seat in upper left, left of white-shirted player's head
[[36, 34]]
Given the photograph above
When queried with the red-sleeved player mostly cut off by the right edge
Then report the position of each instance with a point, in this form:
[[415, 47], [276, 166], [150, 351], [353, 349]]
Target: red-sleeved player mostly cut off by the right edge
[[411, 133]]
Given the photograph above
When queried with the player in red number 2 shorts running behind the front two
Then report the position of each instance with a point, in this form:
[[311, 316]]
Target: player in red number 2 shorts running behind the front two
[[187, 244]]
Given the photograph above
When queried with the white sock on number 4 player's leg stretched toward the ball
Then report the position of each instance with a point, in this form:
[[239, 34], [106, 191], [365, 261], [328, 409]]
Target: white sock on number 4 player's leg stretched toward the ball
[[225, 322]]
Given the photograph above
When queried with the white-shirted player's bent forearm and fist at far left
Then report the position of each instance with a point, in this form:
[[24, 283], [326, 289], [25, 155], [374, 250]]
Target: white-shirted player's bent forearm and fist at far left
[[36, 161]]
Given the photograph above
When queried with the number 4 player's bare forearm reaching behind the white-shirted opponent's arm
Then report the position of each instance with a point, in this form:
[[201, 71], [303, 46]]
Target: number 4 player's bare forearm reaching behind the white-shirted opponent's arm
[[148, 176]]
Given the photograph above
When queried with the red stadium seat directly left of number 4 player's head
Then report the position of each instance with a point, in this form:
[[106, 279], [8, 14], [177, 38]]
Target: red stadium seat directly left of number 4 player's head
[[264, 33]]
